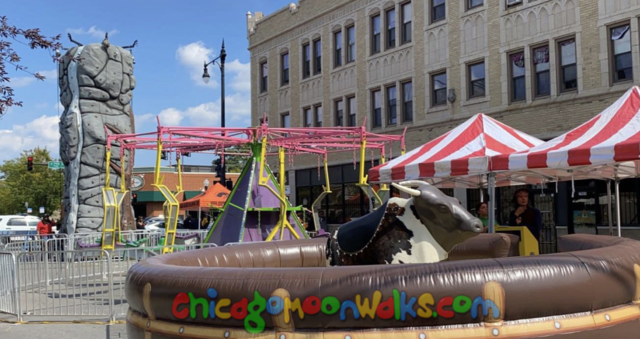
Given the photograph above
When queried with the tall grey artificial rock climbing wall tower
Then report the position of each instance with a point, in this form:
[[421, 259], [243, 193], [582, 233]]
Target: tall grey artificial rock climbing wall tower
[[96, 85]]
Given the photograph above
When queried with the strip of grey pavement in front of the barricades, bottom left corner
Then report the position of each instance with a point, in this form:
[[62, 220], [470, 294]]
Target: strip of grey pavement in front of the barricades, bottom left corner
[[67, 331]]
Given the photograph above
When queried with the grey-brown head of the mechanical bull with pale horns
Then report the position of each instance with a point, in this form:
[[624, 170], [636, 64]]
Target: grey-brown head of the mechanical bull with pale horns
[[443, 216]]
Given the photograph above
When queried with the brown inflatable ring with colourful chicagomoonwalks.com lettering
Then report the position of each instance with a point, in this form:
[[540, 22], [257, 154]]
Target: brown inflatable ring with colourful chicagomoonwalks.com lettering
[[591, 289]]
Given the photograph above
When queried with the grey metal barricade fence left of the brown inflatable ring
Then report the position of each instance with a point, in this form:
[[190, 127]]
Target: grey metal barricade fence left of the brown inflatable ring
[[71, 284]]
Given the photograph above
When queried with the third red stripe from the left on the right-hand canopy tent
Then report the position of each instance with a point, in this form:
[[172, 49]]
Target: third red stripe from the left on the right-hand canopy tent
[[582, 154]]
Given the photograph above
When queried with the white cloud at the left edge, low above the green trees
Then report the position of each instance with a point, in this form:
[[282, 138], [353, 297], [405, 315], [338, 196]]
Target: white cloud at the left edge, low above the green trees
[[42, 132]]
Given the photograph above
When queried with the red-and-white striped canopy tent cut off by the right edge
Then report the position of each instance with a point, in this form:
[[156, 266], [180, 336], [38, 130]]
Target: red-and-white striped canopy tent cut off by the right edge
[[605, 147]]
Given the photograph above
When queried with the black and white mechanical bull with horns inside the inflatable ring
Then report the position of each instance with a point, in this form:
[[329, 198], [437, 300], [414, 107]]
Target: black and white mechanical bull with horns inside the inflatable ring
[[421, 229]]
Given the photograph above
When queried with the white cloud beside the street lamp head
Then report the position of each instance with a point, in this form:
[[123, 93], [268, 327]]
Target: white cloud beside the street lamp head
[[194, 55]]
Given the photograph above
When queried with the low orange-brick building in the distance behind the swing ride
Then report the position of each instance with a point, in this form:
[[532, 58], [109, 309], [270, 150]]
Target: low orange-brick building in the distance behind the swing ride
[[149, 200]]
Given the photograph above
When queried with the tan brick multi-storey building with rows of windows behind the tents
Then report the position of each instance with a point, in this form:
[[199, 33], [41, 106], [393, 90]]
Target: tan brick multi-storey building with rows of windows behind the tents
[[542, 66]]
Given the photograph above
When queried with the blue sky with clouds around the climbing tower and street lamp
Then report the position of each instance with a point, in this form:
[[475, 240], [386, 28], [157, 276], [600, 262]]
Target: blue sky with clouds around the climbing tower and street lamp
[[174, 40]]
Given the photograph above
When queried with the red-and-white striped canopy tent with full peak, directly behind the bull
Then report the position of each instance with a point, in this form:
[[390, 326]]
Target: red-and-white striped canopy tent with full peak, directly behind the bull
[[460, 157]]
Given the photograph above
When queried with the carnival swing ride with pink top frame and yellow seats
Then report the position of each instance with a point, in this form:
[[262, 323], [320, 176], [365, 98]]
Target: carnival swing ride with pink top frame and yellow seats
[[257, 208]]
